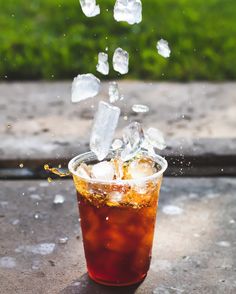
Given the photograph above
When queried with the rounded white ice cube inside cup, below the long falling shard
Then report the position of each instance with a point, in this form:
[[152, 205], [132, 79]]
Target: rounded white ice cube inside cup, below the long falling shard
[[103, 171]]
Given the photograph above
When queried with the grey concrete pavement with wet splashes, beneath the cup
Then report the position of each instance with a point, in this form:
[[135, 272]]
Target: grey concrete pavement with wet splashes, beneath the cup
[[194, 249]]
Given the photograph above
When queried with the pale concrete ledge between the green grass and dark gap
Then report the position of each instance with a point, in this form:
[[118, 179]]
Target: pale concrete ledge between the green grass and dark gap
[[37, 119]]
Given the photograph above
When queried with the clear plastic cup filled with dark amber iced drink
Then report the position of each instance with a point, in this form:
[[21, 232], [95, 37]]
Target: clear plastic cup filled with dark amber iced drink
[[117, 221]]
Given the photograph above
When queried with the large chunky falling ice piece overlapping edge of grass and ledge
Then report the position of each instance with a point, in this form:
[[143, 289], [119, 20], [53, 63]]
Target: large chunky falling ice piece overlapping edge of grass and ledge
[[84, 86]]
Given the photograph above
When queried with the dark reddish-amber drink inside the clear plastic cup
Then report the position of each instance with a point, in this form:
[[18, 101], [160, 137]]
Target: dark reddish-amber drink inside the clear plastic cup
[[118, 238]]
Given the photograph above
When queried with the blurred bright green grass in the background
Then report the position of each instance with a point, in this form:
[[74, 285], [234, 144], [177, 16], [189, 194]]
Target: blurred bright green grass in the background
[[52, 39]]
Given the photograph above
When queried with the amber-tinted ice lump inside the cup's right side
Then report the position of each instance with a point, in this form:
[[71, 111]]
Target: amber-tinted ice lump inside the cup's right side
[[141, 168]]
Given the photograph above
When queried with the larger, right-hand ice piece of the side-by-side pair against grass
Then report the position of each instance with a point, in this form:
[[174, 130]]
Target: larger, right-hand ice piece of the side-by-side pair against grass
[[121, 61]]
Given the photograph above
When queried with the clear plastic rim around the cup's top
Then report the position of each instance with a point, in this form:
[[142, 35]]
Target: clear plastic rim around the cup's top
[[91, 156]]
